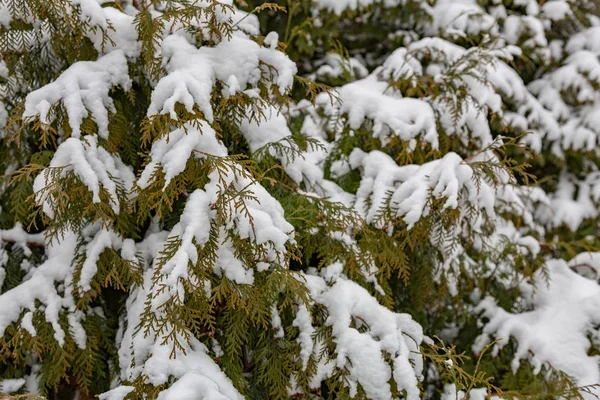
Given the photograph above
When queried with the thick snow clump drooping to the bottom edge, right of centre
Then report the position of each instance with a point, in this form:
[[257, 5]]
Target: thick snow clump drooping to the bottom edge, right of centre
[[362, 353]]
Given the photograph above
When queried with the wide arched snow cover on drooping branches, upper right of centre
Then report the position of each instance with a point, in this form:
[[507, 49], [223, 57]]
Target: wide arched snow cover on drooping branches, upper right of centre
[[374, 99]]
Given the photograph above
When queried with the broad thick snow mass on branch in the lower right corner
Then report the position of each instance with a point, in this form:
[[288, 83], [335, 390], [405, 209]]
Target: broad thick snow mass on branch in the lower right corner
[[564, 307]]
